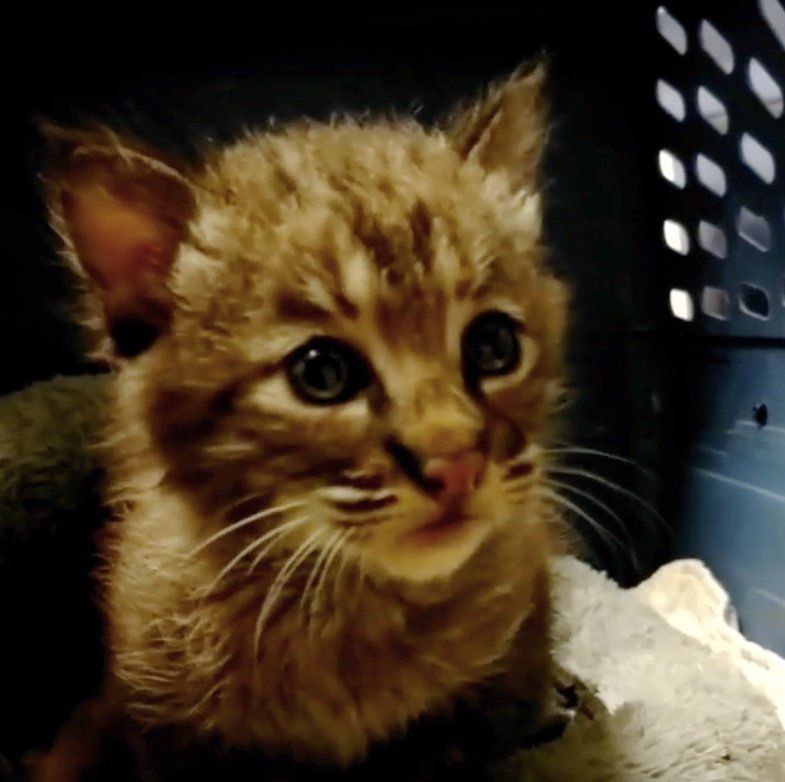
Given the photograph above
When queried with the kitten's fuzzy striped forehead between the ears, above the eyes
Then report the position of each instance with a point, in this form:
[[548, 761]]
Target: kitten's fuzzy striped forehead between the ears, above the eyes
[[364, 222]]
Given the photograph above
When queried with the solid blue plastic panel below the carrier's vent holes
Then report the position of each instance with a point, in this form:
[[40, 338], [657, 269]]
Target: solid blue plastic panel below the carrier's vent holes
[[733, 500]]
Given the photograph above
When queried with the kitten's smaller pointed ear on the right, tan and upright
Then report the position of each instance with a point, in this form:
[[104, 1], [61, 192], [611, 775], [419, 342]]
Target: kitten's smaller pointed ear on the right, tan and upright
[[505, 130]]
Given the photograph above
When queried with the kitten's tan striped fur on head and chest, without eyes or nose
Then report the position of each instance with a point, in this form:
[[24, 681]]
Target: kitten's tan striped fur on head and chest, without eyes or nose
[[392, 238]]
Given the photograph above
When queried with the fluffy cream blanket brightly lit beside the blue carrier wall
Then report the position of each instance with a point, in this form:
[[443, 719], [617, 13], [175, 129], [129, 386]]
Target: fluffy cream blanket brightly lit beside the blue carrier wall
[[653, 702]]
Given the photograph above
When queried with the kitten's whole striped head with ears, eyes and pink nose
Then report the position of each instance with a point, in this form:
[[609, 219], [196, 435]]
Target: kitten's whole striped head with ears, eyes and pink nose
[[355, 326]]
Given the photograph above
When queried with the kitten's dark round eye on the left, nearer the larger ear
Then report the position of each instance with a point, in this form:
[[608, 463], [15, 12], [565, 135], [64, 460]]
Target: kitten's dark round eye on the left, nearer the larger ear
[[325, 371]]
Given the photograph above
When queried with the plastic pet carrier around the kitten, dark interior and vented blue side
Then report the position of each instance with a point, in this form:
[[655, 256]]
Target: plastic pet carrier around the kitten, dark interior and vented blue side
[[665, 209]]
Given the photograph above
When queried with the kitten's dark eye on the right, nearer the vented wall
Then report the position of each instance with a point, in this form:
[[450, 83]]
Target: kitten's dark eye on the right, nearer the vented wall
[[491, 345]]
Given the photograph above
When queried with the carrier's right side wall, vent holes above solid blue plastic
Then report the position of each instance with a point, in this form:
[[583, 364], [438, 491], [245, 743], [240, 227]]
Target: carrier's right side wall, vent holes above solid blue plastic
[[720, 73]]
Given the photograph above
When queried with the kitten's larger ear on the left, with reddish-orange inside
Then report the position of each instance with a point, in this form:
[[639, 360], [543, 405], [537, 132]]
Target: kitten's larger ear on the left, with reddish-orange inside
[[121, 211]]
